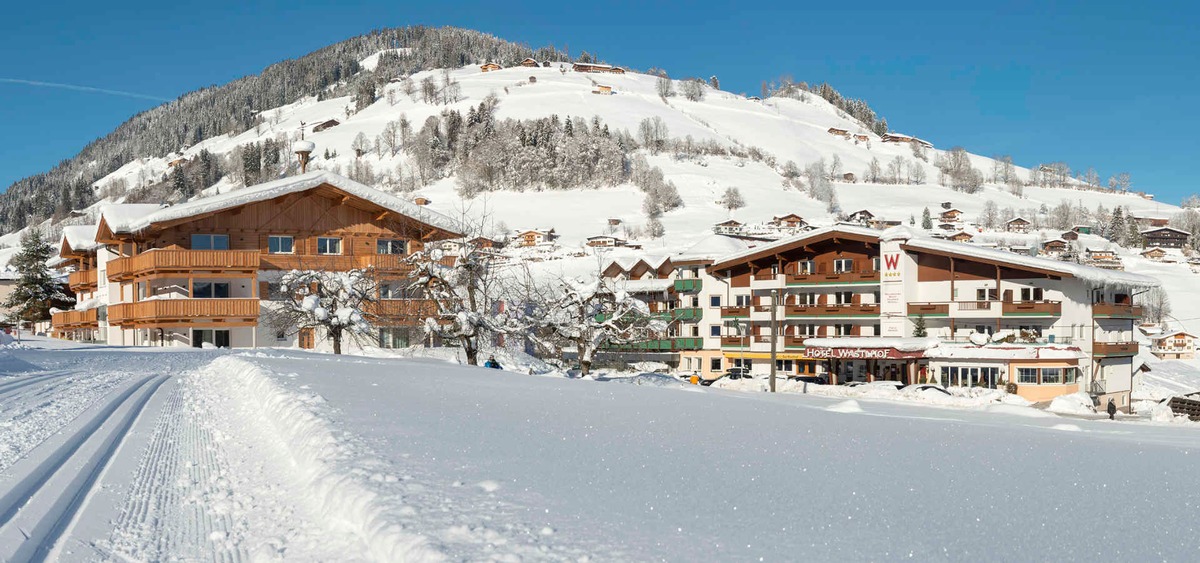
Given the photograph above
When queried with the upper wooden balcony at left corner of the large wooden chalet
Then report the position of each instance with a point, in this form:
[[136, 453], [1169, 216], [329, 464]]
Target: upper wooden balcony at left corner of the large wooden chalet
[[163, 263]]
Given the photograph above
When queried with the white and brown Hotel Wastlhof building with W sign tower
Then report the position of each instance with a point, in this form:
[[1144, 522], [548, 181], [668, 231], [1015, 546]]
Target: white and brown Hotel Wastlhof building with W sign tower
[[850, 304]]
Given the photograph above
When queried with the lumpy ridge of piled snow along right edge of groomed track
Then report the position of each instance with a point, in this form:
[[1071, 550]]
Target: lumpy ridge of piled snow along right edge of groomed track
[[339, 493]]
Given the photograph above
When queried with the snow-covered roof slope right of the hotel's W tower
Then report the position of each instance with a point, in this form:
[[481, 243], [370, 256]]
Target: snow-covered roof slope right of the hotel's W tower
[[1095, 277]]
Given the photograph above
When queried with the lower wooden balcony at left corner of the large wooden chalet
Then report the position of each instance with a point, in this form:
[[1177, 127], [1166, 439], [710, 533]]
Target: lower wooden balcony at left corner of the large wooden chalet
[[185, 313]]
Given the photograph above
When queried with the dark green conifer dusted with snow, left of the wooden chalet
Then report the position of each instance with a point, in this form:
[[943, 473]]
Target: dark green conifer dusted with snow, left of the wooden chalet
[[37, 291]]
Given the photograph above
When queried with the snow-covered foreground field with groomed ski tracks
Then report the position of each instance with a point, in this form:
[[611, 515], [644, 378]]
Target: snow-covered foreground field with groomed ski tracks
[[151, 456]]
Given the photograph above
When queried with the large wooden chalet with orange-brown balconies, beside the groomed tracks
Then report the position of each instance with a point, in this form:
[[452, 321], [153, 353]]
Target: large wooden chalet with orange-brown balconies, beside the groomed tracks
[[208, 272]]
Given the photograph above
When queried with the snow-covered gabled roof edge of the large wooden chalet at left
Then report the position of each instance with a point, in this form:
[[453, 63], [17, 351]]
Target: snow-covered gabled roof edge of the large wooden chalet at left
[[281, 188]]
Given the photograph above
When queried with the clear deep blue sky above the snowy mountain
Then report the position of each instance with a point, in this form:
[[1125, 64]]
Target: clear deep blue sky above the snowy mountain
[[1106, 85]]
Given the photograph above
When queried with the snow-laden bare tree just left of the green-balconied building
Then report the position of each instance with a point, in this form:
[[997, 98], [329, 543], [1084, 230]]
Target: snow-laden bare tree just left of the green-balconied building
[[593, 315]]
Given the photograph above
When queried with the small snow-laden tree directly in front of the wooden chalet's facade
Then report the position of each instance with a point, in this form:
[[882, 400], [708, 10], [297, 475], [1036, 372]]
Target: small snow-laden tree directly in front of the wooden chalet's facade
[[338, 303]]
